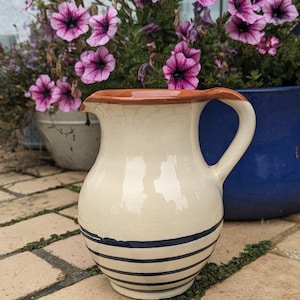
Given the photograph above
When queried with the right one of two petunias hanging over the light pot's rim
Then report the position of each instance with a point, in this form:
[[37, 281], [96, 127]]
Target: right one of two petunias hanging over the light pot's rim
[[66, 100]]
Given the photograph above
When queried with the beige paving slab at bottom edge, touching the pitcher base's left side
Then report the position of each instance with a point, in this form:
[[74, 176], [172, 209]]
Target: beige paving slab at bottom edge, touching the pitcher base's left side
[[96, 287]]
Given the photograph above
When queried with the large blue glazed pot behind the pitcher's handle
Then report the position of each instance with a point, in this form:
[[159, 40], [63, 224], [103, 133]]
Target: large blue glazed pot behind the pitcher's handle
[[266, 181]]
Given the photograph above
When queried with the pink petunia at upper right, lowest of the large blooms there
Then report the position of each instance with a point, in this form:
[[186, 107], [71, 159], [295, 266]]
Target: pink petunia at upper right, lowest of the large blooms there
[[245, 32]]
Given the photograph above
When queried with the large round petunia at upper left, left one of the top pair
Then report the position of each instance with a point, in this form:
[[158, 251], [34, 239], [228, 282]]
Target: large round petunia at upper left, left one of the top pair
[[70, 22]]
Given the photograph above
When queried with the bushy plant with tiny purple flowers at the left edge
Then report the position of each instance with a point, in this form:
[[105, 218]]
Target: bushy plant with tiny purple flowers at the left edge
[[20, 66]]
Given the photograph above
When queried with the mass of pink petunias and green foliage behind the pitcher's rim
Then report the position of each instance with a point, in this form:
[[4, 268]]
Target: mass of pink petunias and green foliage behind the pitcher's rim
[[145, 44]]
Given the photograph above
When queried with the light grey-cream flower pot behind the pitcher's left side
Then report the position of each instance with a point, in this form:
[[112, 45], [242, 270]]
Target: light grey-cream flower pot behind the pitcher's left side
[[72, 144]]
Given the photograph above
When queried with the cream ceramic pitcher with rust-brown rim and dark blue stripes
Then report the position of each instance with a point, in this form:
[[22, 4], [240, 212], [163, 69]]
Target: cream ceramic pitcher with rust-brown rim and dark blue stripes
[[150, 209]]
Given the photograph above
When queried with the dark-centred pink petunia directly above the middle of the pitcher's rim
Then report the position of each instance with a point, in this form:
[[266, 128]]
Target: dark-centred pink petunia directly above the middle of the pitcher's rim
[[181, 72]]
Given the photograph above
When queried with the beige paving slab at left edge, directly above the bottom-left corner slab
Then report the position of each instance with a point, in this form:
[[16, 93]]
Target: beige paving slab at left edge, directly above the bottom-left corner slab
[[18, 235]]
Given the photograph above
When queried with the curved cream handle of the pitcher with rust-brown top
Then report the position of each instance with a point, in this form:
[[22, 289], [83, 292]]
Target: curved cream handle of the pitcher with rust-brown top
[[244, 134]]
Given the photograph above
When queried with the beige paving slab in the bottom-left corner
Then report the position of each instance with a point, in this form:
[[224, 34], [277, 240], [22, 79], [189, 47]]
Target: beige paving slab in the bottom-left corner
[[25, 273]]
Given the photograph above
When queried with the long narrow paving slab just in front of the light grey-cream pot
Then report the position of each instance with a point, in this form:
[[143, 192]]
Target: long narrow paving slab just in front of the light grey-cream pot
[[45, 183]]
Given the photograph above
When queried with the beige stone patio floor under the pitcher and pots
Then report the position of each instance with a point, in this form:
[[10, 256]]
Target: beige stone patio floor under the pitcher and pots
[[37, 206]]
